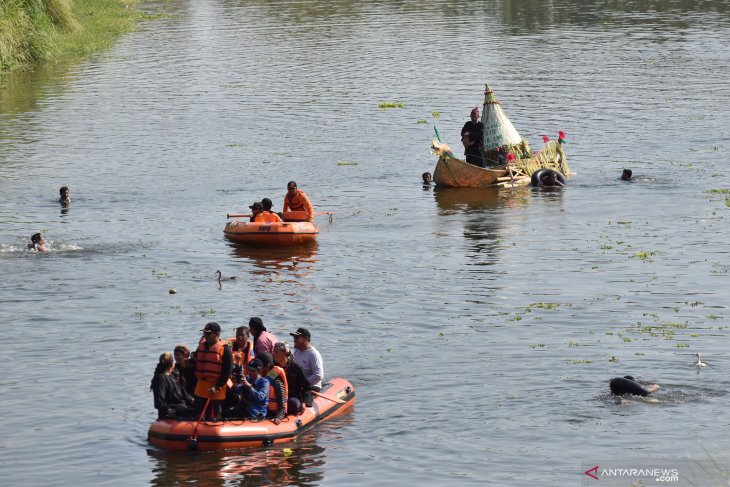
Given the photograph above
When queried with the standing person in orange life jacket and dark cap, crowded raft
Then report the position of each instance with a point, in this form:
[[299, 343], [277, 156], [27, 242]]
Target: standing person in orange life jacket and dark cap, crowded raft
[[213, 365]]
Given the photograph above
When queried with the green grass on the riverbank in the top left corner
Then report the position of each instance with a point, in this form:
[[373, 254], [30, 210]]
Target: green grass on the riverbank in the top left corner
[[35, 31]]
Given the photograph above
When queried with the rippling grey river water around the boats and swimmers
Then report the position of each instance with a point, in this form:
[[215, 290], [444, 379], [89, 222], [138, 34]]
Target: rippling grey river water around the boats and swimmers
[[480, 328]]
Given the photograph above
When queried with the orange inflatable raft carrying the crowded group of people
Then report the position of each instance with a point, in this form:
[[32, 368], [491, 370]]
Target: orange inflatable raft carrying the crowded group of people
[[337, 397]]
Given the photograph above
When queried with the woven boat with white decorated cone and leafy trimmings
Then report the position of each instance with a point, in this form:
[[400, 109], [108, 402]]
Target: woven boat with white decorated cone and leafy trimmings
[[509, 158]]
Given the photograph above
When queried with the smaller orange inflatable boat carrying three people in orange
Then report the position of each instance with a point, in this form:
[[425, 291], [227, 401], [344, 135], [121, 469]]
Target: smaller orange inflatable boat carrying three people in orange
[[287, 232]]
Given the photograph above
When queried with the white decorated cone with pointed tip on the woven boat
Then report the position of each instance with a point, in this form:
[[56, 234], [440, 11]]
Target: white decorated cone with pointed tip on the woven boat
[[500, 136]]
